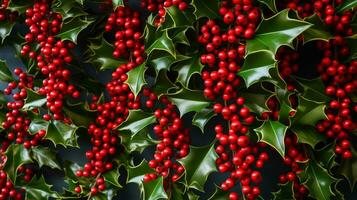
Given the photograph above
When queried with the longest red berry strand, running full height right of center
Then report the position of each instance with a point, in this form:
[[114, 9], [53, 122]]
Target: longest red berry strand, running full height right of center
[[237, 154]]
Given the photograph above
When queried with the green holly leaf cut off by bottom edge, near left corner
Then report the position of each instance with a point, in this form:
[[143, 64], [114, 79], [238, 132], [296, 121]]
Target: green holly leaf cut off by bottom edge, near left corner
[[39, 189]]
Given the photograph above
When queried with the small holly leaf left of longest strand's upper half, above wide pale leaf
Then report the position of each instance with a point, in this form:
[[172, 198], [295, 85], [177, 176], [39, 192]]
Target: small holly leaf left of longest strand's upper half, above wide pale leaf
[[187, 68]]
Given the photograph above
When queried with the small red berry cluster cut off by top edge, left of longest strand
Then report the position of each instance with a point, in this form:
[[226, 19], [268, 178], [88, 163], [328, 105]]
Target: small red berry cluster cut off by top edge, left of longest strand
[[160, 5]]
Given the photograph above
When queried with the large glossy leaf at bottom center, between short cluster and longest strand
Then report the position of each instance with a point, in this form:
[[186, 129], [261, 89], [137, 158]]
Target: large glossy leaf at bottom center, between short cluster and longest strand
[[199, 164]]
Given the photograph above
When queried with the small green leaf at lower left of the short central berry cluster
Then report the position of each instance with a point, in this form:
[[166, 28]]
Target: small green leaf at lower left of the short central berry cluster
[[137, 173]]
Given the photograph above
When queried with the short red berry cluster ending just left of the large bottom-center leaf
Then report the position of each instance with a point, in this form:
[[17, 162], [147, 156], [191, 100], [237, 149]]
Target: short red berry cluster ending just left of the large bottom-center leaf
[[174, 140]]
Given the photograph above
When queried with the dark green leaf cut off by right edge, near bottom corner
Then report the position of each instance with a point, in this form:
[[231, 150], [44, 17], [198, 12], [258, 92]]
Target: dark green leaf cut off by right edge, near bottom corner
[[348, 169]]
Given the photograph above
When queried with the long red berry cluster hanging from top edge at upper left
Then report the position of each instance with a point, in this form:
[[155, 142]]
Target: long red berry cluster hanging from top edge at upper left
[[51, 57]]
